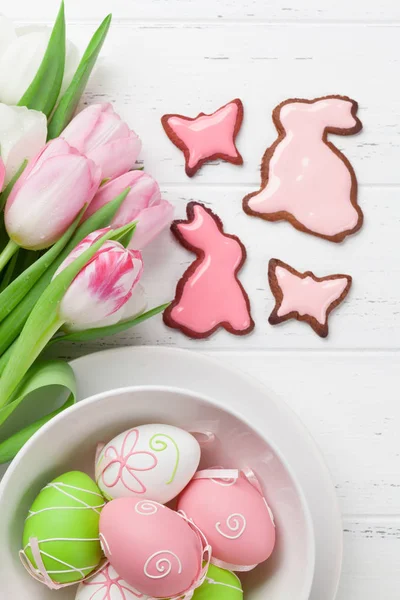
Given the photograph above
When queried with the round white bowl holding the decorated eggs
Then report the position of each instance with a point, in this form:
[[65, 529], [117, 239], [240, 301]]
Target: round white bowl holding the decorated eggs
[[68, 442]]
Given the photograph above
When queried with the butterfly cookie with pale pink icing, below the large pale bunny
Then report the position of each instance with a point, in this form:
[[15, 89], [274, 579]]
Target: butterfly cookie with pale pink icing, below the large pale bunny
[[305, 297]]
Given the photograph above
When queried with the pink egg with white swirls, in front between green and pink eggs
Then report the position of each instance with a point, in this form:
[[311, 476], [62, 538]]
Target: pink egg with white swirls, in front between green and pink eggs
[[152, 547]]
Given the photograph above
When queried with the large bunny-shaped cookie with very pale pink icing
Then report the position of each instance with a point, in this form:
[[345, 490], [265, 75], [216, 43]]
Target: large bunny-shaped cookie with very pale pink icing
[[305, 179]]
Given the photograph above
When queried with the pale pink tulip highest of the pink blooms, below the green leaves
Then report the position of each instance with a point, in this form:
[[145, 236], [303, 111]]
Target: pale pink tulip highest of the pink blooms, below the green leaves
[[100, 134]]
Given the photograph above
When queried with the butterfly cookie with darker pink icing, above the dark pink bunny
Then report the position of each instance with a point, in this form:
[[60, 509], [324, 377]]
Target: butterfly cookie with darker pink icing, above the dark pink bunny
[[207, 137]]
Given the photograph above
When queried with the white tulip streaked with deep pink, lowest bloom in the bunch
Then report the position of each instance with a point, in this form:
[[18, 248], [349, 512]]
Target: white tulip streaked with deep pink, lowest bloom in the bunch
[[103, 286]]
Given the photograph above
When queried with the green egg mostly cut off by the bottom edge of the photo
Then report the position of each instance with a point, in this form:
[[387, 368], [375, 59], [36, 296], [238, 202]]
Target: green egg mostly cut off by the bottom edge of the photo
[[219, 585]]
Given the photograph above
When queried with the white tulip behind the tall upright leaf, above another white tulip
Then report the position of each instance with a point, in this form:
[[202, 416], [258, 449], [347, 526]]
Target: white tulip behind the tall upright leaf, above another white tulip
[[21, 54]]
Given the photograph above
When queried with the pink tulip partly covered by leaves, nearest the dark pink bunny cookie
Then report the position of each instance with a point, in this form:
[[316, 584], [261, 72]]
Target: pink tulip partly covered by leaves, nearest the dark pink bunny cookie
[[143, 204]]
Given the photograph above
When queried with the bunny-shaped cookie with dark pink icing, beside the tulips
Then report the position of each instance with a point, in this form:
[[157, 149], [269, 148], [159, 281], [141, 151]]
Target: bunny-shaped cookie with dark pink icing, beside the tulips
[[209, 295]]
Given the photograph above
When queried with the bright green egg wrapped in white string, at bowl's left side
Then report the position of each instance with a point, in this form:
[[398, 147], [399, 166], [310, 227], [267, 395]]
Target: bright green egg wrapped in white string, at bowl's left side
[[64, 519]]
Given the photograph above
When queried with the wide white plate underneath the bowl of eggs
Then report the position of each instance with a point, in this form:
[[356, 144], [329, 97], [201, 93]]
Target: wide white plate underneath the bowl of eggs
[[200, 374]]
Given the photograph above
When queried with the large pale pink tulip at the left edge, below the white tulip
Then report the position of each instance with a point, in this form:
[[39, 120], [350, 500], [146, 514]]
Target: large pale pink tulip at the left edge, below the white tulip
[[54, 187]]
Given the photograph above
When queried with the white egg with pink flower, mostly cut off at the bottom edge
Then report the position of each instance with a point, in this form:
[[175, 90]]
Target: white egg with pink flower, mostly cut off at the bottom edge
[[107, 585]]
